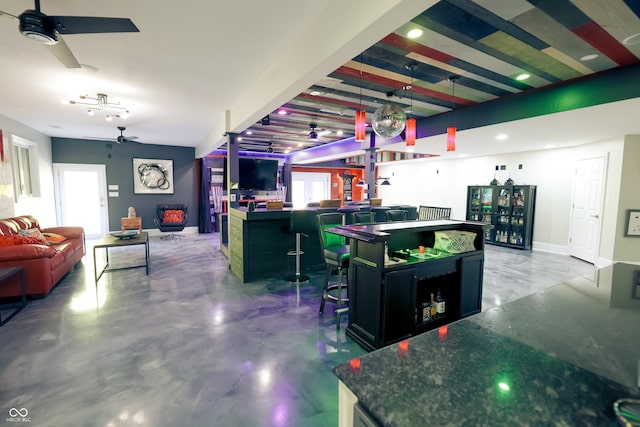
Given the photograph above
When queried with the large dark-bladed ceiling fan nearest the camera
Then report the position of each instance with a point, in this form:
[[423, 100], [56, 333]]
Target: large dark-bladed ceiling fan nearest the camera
[[45, 29]]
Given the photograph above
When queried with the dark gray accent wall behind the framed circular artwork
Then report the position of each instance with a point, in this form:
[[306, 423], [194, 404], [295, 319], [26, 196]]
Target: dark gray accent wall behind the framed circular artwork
[[118, 160]]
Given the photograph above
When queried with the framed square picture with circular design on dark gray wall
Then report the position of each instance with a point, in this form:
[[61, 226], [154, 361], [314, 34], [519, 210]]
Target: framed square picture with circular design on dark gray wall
[[152, 176]]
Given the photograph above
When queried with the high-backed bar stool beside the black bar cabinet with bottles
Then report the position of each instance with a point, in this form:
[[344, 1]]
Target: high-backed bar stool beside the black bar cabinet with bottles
[[336, 255]]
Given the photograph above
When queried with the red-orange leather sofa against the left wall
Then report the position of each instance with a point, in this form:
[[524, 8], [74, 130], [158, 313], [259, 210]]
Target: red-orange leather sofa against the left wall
[[45, 264]]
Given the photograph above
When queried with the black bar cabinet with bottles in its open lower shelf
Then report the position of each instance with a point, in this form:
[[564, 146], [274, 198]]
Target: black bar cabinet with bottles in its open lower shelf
[[387, 295]]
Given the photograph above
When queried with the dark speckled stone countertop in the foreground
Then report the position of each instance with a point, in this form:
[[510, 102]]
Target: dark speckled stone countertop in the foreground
[[558, 357]]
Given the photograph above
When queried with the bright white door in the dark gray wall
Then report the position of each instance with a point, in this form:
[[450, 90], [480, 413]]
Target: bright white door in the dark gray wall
[[81, 196]]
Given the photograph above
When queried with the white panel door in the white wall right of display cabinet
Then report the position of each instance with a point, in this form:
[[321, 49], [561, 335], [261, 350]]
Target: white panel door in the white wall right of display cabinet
[[586, 221]]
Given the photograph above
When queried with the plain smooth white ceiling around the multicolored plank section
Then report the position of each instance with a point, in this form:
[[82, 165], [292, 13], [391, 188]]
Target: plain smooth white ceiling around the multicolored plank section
[[198, 69]]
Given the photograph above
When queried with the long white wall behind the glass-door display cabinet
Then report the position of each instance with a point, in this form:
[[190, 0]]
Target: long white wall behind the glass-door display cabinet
[[439, 182]]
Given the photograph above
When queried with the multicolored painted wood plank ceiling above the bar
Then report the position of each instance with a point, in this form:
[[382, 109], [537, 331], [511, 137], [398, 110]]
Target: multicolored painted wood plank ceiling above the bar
[[482, 44]]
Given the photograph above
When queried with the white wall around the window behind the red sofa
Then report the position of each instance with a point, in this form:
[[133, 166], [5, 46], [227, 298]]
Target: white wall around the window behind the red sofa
[[42, 206]]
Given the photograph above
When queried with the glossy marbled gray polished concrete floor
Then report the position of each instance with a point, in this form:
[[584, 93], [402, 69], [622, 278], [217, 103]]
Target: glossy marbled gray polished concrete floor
[[189, 345]]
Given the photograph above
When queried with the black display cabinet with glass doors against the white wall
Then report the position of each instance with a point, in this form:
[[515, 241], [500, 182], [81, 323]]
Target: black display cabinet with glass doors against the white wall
[[509, 208]]
